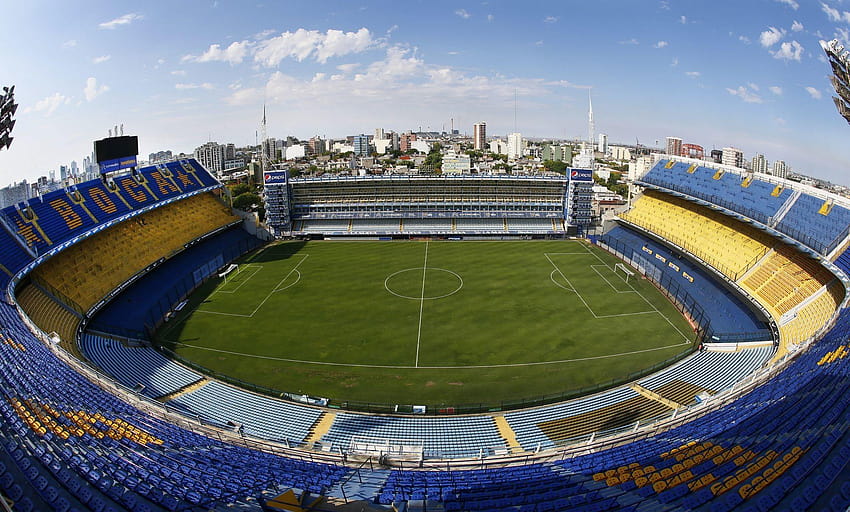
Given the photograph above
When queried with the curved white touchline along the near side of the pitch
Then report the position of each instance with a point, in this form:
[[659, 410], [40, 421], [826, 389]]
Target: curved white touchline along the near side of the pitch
[[407, 367]]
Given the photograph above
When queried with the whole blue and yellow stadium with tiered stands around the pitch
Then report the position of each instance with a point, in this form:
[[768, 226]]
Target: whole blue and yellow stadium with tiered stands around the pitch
[[748, 409]]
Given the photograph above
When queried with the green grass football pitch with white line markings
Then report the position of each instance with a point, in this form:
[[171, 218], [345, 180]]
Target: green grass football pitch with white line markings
[[428, 322]]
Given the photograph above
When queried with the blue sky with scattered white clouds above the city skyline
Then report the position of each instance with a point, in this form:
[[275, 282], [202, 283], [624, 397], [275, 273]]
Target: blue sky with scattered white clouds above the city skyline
[[748, 74]]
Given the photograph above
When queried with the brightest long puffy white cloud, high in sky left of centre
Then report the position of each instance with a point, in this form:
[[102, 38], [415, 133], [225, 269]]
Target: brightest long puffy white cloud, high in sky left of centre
[[303, 44]]
